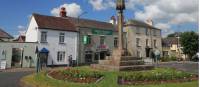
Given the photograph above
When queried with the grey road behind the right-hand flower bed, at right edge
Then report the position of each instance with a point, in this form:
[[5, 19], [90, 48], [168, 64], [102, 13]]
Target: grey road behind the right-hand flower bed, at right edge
[[192, 67]]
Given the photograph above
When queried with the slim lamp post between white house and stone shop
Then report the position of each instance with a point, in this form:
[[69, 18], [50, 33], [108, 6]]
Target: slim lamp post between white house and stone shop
[[79, 45]]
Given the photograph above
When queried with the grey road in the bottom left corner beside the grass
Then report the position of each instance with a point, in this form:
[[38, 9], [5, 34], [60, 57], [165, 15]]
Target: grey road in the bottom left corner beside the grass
[[11, 79]]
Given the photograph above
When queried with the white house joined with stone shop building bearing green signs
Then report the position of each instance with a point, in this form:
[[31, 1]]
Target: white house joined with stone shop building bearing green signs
[[60, 38]]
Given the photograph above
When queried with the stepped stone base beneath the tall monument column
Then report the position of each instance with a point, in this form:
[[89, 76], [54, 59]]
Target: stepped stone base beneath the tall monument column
[[126, 63]]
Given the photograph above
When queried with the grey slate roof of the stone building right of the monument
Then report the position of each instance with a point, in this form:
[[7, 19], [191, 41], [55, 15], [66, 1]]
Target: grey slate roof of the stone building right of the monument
[[139, 23]]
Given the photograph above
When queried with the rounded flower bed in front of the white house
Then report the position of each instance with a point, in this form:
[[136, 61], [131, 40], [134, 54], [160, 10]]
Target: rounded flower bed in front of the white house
[[75, 75]]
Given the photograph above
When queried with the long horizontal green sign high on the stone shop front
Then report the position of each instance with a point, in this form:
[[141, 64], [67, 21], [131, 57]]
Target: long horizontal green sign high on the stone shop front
[[102, 32]]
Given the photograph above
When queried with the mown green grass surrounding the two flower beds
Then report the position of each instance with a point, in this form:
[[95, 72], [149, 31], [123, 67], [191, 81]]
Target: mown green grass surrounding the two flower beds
[[110, 80]]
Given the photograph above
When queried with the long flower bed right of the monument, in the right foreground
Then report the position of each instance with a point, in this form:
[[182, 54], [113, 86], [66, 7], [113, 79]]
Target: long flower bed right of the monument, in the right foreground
[[158, 75]]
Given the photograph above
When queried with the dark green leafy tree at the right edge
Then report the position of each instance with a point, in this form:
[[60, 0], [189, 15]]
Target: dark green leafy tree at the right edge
[[190, 43]]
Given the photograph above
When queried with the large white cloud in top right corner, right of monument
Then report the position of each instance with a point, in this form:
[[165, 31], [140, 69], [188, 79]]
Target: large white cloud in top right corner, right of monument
[[174, 11]]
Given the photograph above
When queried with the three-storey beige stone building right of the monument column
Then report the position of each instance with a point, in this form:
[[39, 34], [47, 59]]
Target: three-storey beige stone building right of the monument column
[[142, 38]]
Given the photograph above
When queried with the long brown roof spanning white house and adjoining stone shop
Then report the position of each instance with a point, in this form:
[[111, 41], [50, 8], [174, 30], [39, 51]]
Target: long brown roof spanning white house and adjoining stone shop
[[69, 23]]
